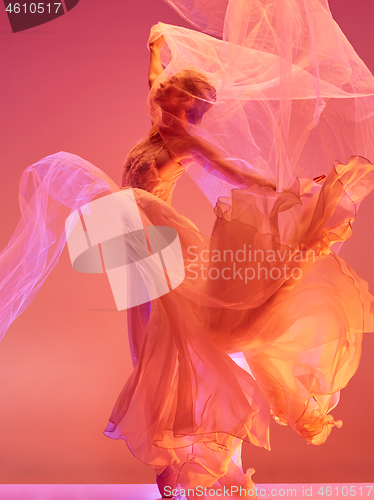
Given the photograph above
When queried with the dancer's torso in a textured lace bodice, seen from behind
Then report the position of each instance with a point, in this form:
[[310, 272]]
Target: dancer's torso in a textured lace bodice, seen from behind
[[151, 166]]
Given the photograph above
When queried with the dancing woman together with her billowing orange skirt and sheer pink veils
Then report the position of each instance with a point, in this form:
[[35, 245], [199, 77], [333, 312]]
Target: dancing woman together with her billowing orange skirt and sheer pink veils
[[295, 310]]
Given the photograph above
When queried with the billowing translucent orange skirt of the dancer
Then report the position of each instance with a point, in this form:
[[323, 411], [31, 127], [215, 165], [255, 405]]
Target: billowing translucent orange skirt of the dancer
[[187, 403]]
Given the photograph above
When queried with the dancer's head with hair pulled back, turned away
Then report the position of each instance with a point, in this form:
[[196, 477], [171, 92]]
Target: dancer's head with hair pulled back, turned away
[[187, 94]]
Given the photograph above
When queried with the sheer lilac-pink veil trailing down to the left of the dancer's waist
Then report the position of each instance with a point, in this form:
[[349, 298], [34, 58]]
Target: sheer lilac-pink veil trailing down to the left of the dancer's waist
[[49, 191]]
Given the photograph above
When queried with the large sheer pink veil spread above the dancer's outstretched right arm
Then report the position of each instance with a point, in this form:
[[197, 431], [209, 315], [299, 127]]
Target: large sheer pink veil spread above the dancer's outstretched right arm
[[292, 94]]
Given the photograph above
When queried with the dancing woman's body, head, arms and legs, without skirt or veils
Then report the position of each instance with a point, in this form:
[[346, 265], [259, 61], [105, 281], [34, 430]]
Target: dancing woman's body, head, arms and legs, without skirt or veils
[[153, 165]]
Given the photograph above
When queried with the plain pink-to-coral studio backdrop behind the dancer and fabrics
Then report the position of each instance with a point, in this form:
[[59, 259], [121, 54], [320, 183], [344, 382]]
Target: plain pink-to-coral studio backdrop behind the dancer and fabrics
[[79, 84]]
